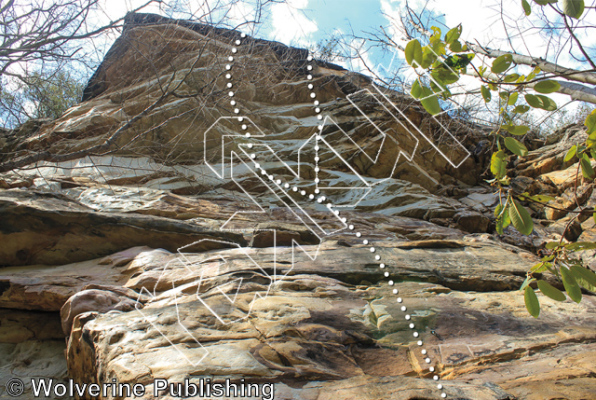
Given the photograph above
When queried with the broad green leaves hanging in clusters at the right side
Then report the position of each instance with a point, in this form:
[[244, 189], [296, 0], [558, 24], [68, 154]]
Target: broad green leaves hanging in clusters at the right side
[[443, 60]]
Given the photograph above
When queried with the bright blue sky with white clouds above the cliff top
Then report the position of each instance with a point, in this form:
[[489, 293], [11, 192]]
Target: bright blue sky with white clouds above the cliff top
[[499, 24]]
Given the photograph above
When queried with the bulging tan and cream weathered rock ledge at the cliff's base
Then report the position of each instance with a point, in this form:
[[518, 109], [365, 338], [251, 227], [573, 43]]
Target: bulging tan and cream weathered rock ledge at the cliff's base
[[324, 322]]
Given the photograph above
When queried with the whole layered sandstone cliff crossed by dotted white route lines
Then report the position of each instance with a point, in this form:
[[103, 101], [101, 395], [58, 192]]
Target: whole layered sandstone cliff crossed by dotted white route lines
[[179, 252]]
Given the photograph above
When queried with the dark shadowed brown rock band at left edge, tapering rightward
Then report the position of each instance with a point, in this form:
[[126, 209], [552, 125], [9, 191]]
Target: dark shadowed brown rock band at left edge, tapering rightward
[[50, 229]]
